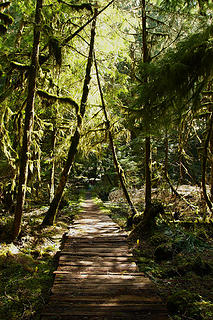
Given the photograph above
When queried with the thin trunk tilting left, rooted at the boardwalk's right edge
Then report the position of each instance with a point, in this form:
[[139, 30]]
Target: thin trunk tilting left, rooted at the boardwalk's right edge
[[118, 168]]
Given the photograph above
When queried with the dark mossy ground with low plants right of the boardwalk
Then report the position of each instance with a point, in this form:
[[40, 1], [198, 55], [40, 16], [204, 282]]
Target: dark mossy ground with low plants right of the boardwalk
[[178, 257]]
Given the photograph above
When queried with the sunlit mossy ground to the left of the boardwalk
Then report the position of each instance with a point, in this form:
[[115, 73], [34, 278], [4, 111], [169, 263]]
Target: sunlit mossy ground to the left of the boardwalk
[[27, 265]]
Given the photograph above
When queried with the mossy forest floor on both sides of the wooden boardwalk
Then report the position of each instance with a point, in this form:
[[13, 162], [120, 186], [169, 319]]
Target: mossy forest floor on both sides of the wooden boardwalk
[[177, 256]]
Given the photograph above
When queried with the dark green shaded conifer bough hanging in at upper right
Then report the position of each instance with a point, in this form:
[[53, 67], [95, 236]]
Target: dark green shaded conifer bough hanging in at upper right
[[177, 79]]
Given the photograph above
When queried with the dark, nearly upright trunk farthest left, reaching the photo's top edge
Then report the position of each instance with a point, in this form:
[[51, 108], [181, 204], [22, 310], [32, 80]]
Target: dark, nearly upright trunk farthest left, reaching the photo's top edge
[[28, 125]]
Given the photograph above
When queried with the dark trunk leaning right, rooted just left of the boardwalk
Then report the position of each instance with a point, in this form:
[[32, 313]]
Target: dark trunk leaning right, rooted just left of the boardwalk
[[52, 212]]
